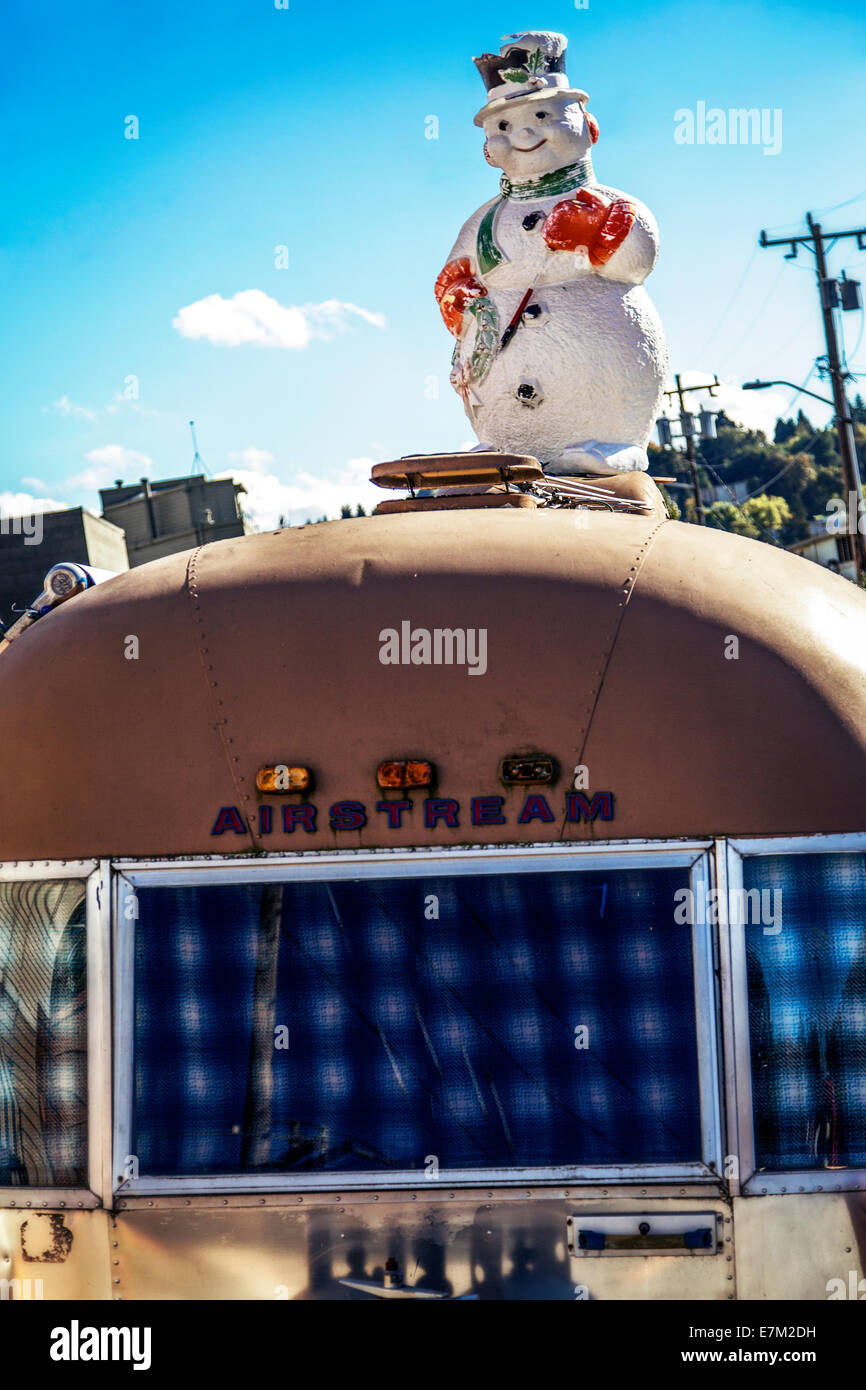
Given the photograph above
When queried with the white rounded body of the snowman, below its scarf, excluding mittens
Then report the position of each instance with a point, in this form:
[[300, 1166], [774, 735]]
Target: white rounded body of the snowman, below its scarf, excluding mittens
[[594, 352]]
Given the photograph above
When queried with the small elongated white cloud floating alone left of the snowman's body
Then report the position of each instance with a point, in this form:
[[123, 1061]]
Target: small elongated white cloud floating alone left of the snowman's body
[[254, 318]]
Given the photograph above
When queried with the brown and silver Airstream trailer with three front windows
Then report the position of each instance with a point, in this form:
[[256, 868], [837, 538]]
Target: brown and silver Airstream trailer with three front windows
[[461, 903]]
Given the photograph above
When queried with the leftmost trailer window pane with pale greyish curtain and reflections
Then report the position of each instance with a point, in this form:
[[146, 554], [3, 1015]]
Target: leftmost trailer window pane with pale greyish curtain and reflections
[[44, 1050]]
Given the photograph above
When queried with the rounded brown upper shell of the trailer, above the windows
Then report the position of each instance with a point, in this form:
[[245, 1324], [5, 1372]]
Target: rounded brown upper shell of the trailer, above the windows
[[610, 644]]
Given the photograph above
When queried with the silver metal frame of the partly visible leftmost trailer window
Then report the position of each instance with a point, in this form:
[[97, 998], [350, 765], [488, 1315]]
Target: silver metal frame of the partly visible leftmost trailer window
[[98, 917]]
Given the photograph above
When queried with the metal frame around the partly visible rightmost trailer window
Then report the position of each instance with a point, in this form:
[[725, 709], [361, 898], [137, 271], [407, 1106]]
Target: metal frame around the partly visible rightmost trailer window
[[753, 1182]]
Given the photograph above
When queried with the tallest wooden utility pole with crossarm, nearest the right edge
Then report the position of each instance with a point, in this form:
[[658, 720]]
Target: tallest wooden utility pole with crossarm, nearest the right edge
[[831, 297]]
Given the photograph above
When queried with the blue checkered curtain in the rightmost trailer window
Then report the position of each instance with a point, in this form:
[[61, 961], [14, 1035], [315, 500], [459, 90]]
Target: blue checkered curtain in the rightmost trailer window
[[808, 1011]]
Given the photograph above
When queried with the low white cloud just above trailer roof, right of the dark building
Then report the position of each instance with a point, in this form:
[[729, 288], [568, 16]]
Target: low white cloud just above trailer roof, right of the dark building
[[307, 497]]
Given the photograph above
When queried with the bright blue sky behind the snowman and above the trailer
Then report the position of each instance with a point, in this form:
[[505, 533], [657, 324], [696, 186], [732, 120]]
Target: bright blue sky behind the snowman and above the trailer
[[262, 127]]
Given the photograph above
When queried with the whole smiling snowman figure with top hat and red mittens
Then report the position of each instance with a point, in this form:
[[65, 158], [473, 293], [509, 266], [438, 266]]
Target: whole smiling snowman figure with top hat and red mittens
[[559, 352]]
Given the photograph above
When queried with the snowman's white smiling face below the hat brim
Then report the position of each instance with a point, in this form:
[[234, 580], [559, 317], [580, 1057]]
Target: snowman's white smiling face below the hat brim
[[530, 138]]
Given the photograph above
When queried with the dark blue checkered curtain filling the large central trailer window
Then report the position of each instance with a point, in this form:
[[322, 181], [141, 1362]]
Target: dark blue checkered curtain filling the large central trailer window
[[430, 1022]]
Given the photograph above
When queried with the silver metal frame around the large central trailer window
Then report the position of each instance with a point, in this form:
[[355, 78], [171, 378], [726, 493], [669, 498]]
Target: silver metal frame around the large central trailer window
[[318, 867]]
